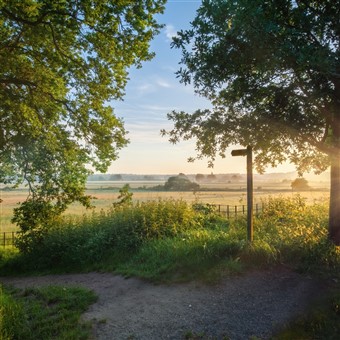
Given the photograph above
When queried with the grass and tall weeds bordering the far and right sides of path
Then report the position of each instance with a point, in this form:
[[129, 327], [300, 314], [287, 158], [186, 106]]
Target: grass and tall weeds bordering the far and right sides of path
[[174, 241]]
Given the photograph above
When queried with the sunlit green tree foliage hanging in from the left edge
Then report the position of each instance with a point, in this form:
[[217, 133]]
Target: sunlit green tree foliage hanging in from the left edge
[[61, 64]]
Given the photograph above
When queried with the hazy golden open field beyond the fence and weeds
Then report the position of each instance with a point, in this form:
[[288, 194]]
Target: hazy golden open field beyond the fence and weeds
[[106, 192]]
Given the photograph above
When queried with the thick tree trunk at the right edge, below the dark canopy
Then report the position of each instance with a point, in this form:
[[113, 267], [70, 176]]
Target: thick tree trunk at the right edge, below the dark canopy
[[334, 204]]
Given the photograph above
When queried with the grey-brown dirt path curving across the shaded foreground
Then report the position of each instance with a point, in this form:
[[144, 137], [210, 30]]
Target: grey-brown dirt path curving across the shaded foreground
[[253, 304]]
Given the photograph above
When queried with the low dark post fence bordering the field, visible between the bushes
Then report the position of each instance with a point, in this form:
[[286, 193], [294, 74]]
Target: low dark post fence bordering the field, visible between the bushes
[[228, 211]]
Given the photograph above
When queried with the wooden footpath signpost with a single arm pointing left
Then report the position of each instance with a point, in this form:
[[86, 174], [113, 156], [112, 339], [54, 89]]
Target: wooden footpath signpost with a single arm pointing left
[[249, 153]]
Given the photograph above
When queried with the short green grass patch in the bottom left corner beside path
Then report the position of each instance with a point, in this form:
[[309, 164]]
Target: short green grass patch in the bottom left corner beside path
[[45, 313]]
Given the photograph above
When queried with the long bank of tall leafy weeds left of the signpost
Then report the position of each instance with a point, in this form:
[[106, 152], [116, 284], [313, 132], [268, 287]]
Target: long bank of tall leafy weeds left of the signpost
[[79, 242]]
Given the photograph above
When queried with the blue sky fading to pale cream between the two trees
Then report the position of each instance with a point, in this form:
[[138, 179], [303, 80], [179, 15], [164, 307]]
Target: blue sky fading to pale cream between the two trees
[[151, 93]]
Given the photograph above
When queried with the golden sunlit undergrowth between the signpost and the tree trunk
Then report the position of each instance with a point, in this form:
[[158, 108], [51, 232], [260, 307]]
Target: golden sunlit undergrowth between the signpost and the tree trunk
[[298, 232]]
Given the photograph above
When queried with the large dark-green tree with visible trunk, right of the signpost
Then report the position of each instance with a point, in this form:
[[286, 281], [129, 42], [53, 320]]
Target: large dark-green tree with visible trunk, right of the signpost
[[271, 70]]
